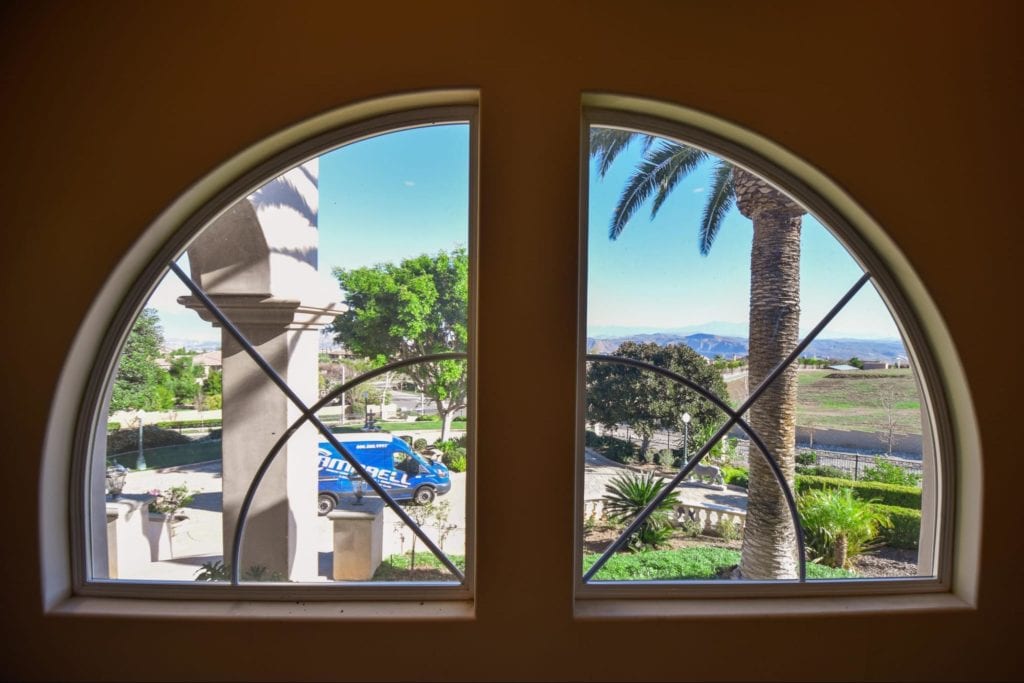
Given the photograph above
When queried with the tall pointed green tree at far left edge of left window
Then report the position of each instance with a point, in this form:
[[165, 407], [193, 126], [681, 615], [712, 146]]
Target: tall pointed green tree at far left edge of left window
[[141, 383]]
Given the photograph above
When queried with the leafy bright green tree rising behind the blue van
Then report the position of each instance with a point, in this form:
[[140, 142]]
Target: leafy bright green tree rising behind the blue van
[[409, 310]]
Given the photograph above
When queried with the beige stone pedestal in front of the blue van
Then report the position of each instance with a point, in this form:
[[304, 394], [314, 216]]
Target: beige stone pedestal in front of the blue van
[[359, 539]]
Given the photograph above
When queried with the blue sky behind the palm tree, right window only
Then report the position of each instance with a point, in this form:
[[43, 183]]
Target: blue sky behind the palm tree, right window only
[[655, 278]]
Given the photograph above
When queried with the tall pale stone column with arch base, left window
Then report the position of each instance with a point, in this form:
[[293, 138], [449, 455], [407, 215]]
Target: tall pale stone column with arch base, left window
[[259, 265]]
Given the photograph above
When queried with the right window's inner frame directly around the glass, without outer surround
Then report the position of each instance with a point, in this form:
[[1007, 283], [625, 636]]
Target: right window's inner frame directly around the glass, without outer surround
[[809, 188]]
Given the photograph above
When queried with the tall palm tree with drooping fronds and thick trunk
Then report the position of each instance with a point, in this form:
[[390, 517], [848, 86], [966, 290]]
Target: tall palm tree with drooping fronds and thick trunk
[[770, 540]]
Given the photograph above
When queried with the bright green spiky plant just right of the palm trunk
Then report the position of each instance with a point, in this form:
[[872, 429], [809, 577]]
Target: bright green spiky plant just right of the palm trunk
[[839, 527]]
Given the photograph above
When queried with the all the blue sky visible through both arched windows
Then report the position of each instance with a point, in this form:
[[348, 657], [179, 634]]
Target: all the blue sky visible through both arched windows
[[406, 194]]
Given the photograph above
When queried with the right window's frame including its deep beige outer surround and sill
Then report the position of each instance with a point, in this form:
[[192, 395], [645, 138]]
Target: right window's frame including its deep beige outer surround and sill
[[953, 458]]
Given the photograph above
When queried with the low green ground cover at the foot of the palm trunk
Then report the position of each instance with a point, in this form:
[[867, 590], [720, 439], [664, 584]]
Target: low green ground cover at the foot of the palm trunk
[[688, 564]]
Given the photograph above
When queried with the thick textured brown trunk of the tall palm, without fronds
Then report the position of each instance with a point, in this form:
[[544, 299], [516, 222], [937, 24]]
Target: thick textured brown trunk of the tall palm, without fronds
[[770, 540]]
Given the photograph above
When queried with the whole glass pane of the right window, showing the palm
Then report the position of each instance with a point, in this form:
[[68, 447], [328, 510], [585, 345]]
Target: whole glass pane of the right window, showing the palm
[[702, 269]]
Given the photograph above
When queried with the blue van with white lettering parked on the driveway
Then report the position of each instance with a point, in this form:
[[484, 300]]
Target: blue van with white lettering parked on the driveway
[[404, 474]]
